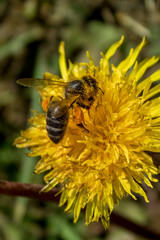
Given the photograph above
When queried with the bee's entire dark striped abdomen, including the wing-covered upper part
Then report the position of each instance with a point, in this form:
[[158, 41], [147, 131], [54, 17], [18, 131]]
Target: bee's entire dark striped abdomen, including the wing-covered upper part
[[56, 120]]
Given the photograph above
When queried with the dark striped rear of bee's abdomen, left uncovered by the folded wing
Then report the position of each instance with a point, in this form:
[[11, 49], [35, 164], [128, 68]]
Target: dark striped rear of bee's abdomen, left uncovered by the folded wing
[[56, 127]]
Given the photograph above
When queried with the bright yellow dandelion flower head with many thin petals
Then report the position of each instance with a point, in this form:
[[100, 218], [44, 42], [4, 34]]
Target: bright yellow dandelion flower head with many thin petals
[[98, 167]]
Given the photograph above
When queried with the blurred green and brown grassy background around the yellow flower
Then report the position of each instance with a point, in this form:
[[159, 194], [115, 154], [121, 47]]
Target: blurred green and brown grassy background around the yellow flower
[[30, 33]]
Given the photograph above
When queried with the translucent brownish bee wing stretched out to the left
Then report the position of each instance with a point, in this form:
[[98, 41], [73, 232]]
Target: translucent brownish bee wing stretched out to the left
[[40, 83]]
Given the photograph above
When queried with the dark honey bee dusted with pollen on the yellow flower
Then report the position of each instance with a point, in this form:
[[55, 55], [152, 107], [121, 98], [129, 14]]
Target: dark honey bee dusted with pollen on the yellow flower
[[77, 92]]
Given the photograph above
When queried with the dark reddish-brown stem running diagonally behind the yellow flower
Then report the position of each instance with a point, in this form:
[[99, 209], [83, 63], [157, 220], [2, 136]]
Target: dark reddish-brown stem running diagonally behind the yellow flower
[[33, 191]]
